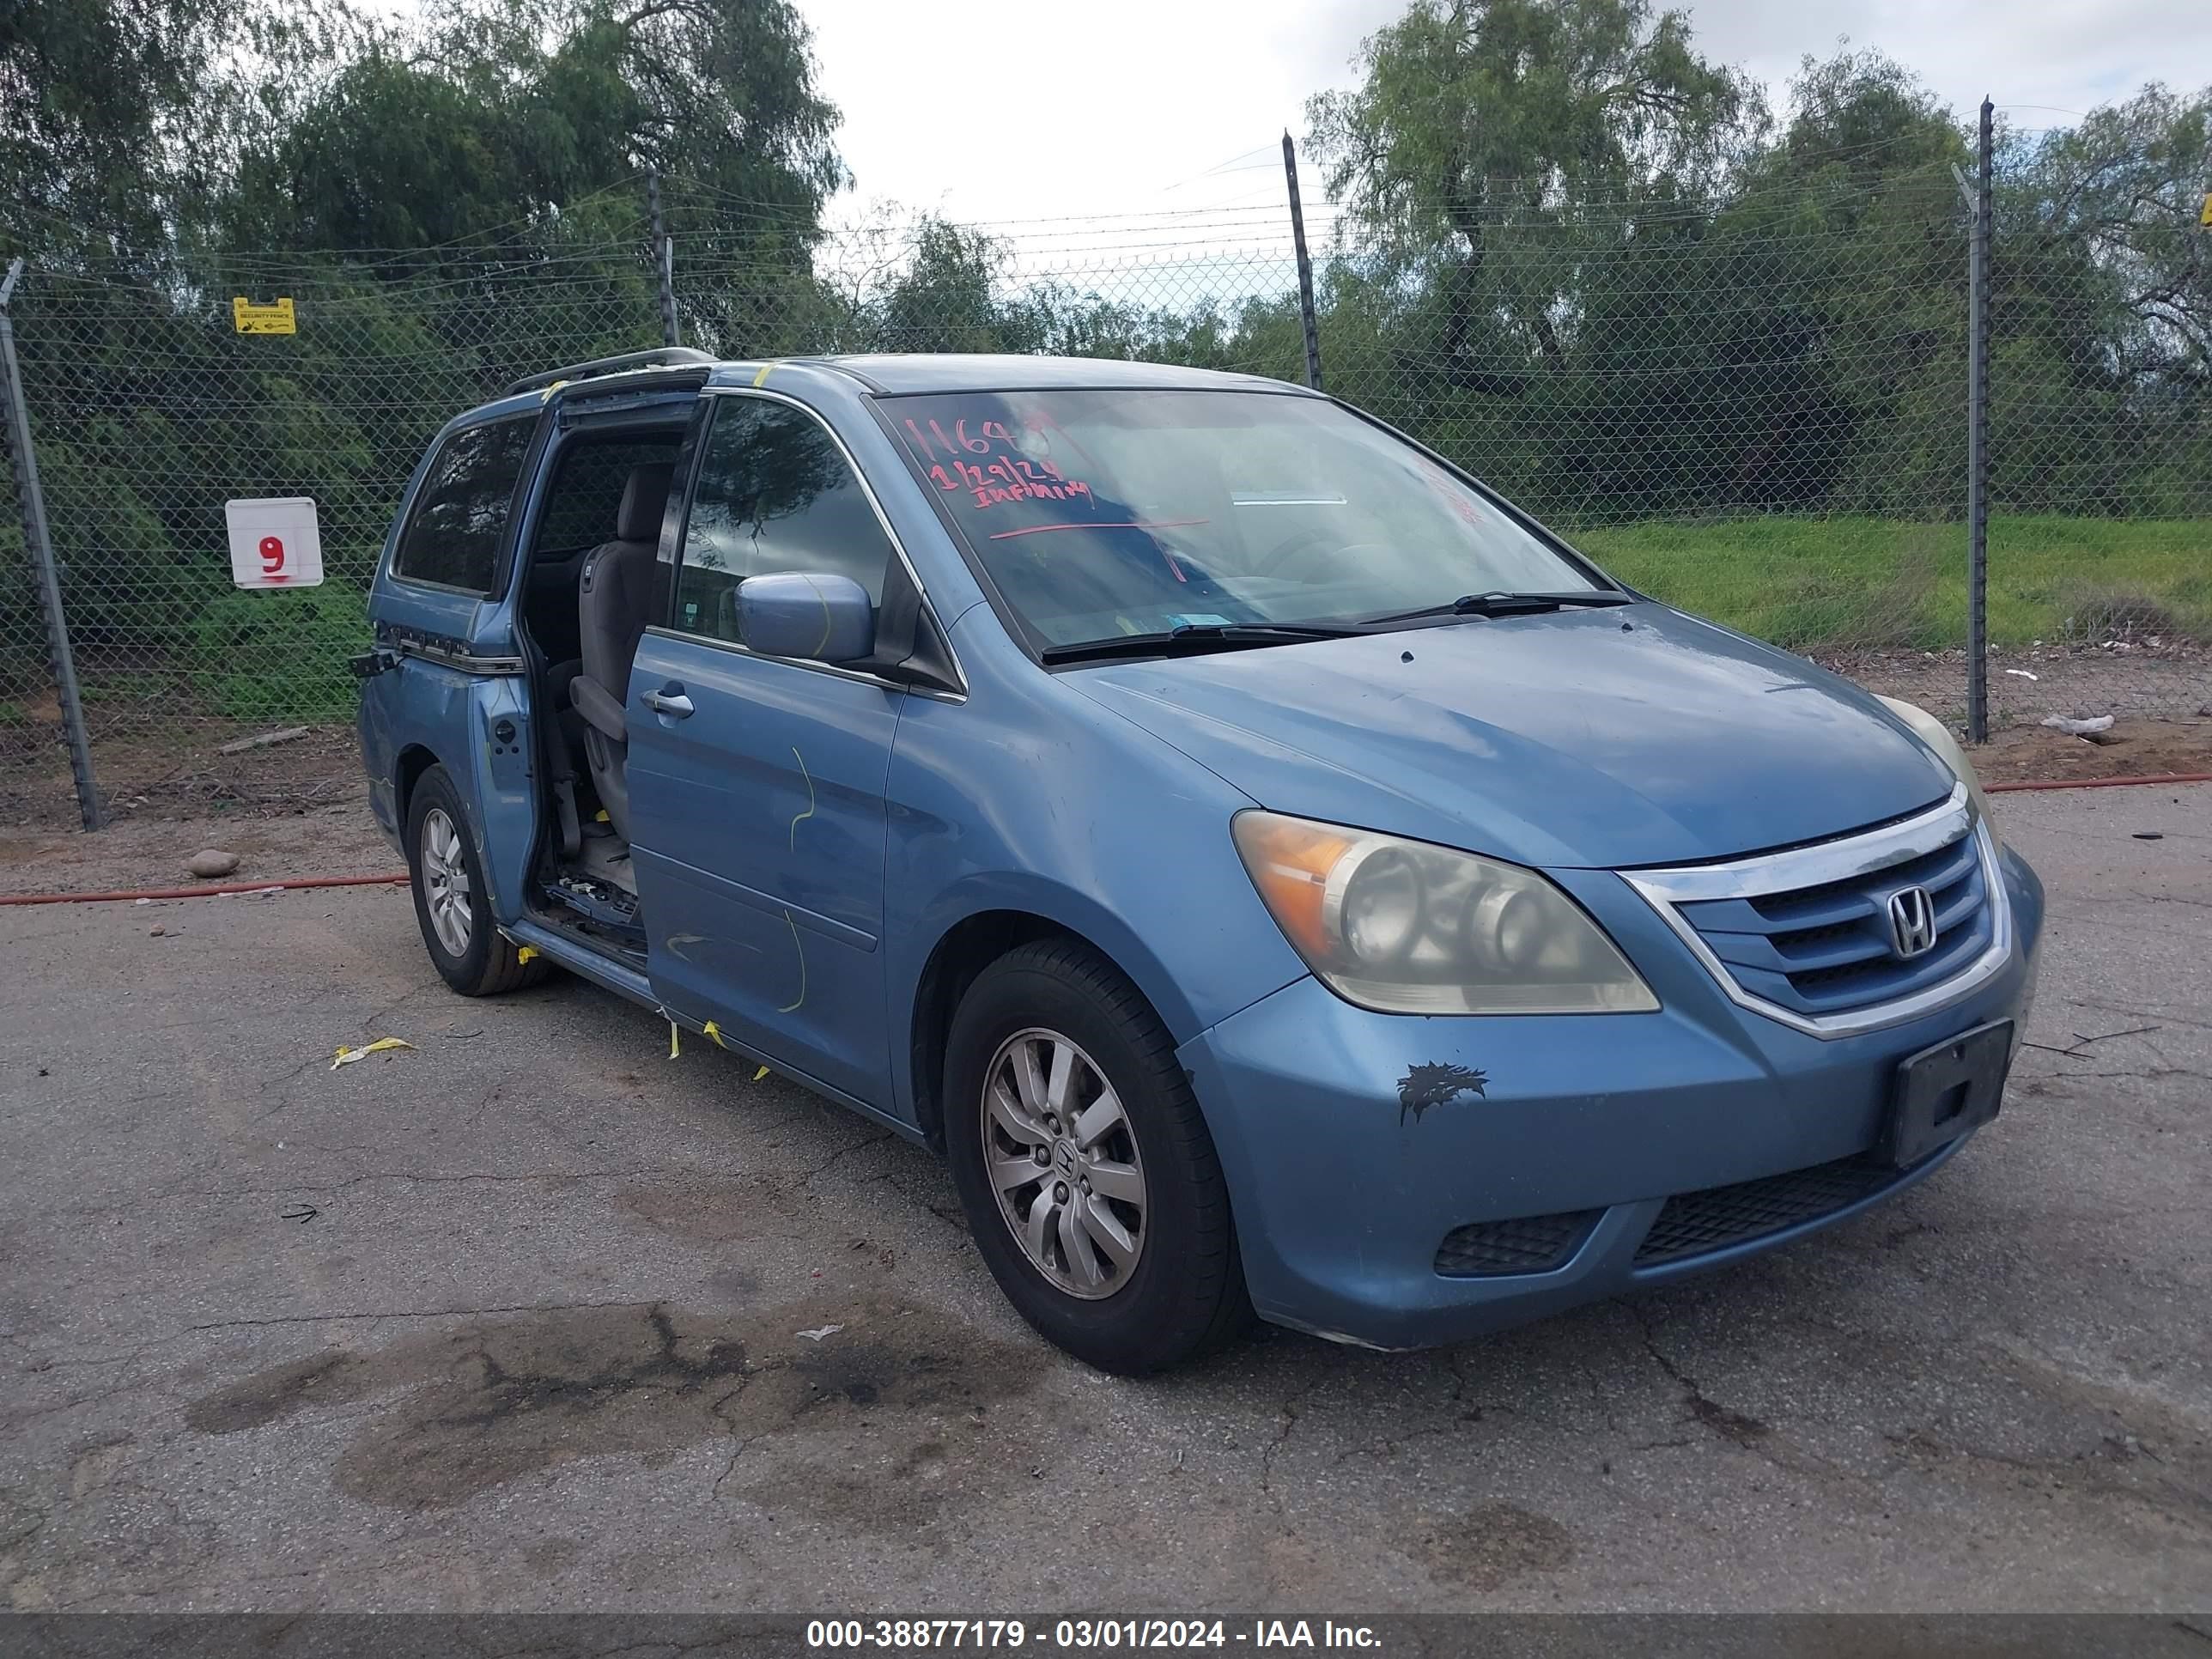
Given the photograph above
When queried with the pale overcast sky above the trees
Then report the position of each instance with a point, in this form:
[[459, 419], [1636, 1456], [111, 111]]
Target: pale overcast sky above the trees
[[1158, 105]]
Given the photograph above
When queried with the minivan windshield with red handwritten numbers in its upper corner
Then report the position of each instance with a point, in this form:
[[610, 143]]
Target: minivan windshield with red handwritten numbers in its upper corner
[[1140, 512]]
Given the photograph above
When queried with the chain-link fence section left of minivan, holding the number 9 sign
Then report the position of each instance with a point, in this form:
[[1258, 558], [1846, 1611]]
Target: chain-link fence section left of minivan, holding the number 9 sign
[[152, 410]]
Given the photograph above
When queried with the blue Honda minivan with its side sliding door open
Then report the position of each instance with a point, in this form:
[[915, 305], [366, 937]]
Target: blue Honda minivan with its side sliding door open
[[1273, 870]]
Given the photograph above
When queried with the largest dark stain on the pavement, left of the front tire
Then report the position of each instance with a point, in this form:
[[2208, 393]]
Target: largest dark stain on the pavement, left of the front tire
[[494, 1401]]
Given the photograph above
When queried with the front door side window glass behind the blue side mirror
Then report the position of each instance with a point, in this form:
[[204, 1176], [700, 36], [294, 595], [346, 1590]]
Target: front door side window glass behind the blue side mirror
[[775, 494]]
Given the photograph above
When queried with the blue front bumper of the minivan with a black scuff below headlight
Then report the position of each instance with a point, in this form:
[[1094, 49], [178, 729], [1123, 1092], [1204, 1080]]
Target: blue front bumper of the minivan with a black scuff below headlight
[[1353, 1149]]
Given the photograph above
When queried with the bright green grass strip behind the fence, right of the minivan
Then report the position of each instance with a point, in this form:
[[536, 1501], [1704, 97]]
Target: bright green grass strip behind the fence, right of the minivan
[[1870, 583]]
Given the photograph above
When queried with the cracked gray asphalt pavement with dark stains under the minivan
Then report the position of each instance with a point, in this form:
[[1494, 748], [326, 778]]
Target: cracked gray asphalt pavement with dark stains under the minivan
[[556, 1333]]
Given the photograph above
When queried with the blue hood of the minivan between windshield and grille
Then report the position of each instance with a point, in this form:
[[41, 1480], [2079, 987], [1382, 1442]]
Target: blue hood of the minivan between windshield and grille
[[1578, 740]]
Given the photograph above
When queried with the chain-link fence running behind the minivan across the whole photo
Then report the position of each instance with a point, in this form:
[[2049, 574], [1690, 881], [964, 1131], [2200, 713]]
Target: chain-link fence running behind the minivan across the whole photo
[[1757, 413]]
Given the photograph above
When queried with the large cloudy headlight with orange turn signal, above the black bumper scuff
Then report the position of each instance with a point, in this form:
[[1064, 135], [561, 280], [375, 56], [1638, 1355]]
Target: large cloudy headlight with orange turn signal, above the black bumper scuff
[[1408, 928]]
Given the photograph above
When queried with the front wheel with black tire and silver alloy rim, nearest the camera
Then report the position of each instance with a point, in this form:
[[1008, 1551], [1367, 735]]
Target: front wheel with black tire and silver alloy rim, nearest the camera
[[1134, 1266]]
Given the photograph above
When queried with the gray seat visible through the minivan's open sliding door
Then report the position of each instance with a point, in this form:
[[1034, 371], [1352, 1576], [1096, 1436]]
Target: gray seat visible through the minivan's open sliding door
[[625, 587]]
